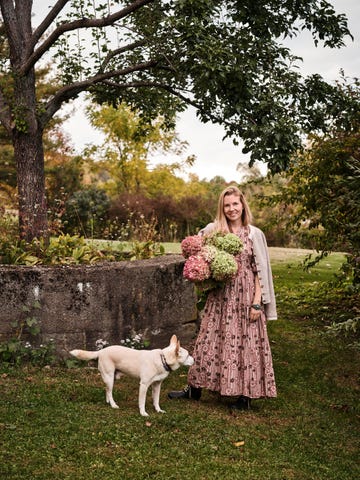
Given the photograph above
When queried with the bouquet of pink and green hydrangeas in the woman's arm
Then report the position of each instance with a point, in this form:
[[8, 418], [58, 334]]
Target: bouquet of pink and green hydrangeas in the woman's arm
[[210, 260]]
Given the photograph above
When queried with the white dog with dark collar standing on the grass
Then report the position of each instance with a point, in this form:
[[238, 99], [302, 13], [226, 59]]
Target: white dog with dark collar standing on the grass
[[150, 366]]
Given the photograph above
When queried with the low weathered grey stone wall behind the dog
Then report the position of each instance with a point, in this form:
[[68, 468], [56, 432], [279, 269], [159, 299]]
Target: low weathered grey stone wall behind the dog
[[81, 304]]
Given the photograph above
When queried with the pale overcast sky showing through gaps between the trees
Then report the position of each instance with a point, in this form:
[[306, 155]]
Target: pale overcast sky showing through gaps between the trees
[[217, 157]]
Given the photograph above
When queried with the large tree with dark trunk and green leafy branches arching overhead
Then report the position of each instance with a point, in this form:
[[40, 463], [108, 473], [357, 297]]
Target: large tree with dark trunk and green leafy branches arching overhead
[[225, 57]]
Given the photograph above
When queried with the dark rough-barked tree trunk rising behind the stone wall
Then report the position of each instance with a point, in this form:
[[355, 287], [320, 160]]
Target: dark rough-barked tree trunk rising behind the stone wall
[[21, 116]]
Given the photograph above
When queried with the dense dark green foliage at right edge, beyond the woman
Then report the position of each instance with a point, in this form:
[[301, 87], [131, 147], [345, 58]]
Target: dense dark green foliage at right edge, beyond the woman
[[324, 184]]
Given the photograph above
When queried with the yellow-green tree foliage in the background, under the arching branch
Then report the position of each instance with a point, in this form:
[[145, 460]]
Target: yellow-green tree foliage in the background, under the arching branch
[[123, 161]]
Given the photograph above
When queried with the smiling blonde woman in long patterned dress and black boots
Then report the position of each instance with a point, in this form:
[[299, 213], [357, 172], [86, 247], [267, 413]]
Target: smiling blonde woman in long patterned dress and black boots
[[232, 352]]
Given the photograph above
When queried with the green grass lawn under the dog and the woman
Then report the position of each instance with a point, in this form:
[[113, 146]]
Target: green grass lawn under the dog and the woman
[[54, 423]]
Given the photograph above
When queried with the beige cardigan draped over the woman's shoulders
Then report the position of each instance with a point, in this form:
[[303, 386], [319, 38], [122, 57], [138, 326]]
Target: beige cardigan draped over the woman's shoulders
[[263, 267]]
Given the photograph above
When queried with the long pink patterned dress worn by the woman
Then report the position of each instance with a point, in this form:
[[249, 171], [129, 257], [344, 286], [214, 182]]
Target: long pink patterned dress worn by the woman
[[232, 355]]
